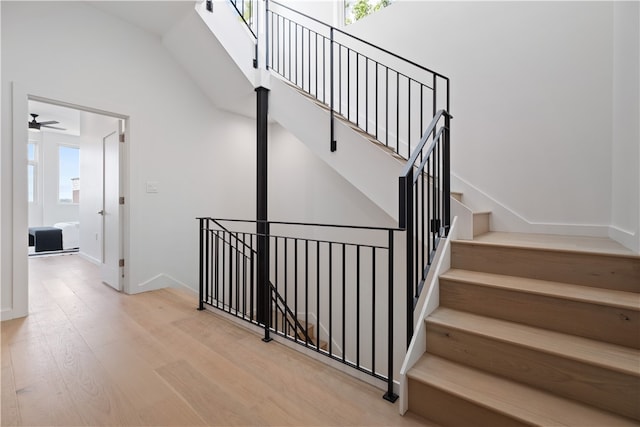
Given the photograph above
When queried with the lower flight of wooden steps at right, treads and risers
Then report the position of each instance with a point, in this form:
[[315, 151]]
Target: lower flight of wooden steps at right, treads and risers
[[532, 336]]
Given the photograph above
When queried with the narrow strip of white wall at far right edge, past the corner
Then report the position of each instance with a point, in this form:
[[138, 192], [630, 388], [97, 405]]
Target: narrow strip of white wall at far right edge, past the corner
[[625, 189]]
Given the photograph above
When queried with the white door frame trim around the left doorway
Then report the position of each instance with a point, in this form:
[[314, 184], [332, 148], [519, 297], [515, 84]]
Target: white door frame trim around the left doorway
[[20, 205]]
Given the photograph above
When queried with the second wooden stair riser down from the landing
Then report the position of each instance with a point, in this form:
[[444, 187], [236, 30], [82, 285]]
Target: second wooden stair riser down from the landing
[[594, 321]]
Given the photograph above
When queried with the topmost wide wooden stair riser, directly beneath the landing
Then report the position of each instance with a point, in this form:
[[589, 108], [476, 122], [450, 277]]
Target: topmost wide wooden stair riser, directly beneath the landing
[[608, 272]]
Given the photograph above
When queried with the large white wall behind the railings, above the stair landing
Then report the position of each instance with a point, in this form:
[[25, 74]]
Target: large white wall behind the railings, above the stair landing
[[531, 99]]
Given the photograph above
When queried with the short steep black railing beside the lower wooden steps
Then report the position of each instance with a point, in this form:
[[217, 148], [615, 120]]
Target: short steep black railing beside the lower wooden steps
[[424, 210]]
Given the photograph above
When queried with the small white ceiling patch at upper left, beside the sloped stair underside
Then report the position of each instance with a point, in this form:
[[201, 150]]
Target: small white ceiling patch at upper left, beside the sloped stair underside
[[156, 17]]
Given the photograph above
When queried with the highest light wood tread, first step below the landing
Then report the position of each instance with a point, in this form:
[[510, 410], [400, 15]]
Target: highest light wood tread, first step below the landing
[[600, 296]]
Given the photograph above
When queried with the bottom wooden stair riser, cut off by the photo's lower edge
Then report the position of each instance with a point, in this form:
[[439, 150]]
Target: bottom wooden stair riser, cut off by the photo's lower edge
[[447, 409]]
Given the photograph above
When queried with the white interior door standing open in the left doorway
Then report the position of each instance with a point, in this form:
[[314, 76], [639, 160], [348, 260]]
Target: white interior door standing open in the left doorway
[[111, 269]]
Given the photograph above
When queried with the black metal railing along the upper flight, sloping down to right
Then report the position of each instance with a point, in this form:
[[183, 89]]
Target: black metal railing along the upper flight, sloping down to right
[[387, 96]]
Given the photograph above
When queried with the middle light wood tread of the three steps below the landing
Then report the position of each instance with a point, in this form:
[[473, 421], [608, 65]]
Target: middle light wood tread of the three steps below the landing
[[608, 356]]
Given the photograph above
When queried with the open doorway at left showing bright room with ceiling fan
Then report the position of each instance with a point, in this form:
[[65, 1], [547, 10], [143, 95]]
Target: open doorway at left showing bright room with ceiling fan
[[74, 185]]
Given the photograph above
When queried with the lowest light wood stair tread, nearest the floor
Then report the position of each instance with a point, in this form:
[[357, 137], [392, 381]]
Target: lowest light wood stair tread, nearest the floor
[[508, 397]]
